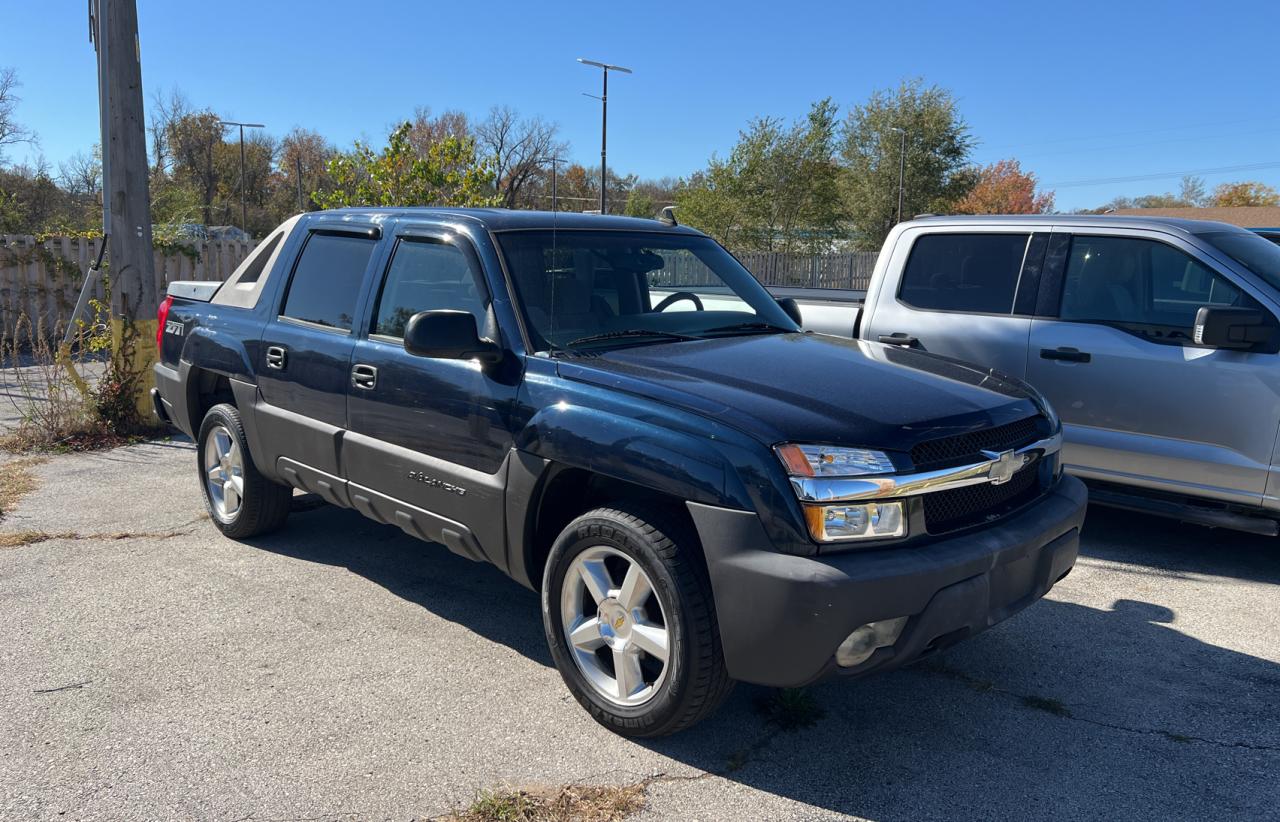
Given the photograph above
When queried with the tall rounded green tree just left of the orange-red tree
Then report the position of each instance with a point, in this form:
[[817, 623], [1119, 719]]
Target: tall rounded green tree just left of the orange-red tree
[[938, 154]]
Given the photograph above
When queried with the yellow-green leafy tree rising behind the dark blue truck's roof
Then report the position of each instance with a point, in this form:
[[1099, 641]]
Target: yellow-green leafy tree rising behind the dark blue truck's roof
[[449, 173]]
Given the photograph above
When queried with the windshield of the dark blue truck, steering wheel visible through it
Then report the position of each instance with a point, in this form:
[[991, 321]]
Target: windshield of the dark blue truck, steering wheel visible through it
[[586, 290]]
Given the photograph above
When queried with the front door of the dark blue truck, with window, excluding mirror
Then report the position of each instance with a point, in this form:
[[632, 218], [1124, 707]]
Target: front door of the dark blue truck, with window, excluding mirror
[[428, 439]]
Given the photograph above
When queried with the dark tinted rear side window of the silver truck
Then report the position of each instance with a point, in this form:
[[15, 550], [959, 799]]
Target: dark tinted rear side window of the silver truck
[[964, 272]]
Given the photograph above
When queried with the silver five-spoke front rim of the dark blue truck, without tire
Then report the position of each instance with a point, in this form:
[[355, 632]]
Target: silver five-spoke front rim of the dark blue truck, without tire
[[615, 627]]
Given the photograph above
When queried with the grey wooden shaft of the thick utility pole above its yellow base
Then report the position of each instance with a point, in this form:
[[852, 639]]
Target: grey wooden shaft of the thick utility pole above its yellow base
[[126, 194]]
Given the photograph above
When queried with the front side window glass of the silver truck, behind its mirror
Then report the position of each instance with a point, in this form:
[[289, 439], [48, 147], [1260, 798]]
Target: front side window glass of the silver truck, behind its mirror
[[1144, 286]]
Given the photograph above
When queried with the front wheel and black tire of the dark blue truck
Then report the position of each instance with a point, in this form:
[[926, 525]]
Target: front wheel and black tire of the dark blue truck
[[630, 620]]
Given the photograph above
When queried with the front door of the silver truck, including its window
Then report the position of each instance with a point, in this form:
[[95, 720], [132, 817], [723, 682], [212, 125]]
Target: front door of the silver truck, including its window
[[1140, 401]]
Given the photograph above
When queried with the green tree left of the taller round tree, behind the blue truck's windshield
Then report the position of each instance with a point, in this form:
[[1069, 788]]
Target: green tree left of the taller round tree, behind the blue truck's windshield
[[779, 190]]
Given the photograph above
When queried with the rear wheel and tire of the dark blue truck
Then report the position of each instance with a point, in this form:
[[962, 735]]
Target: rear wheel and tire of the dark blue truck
[[240, 501]]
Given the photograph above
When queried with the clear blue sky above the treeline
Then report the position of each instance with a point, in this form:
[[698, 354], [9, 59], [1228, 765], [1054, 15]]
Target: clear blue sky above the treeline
[[1080, 92]]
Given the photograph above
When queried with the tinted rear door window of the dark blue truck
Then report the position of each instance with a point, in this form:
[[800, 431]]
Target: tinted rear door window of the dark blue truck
[[327, 280]]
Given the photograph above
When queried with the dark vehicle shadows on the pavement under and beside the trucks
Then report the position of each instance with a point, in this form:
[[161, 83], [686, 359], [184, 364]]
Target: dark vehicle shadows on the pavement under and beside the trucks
[[1064, 711]]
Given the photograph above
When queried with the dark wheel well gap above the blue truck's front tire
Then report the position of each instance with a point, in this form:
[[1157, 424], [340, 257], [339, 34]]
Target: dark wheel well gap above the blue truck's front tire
[[572, 494]]
